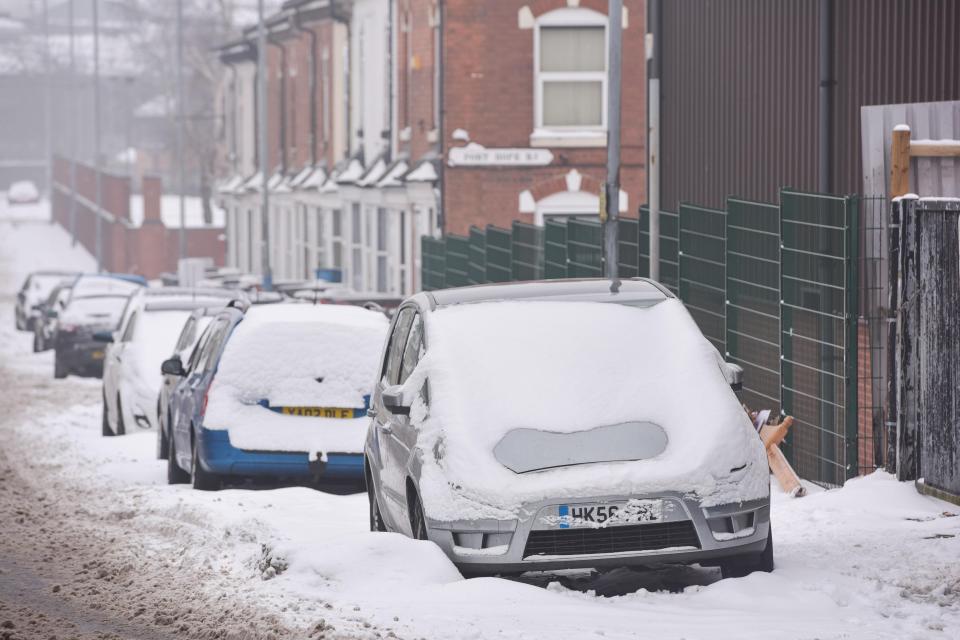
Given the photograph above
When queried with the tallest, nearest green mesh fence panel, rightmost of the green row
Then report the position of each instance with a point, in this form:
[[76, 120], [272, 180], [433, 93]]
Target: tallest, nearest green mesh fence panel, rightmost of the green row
[[818, 337]]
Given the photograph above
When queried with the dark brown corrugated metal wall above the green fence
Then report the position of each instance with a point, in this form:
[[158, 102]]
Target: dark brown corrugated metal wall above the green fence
[[740, 88]]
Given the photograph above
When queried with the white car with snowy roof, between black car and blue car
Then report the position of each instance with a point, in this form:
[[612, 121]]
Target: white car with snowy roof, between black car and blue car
[[148, 330]]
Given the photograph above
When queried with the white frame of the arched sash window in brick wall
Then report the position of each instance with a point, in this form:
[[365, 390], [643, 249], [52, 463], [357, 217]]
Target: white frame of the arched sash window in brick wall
[[573, 136]]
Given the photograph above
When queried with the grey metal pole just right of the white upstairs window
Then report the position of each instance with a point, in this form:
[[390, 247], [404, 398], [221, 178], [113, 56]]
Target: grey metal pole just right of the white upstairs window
[[612, 186]]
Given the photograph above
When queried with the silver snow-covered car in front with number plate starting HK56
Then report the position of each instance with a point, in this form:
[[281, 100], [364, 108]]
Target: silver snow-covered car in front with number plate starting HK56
[[564, 424]]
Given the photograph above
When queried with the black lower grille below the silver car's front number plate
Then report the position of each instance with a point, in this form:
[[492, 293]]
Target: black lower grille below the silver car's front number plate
[[641, 537]]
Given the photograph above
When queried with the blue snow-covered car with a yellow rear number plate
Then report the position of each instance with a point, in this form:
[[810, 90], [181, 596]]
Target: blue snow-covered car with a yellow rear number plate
[[275, 391]]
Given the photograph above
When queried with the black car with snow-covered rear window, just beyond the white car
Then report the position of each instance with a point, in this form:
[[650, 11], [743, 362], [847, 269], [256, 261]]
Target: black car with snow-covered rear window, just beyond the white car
[[96, 303]]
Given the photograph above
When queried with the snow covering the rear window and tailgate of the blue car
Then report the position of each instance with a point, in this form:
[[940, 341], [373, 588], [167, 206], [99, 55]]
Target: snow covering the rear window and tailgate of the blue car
[[297, 356]]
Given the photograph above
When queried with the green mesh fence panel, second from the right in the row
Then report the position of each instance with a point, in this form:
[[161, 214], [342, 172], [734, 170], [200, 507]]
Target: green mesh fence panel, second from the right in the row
[[753, 299]]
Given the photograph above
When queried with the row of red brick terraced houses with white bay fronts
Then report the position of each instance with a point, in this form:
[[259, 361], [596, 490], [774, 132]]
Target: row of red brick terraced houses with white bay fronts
[[392, 120]]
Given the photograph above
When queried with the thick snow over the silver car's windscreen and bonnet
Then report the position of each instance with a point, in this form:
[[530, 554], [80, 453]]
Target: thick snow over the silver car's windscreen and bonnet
[[568, 367]]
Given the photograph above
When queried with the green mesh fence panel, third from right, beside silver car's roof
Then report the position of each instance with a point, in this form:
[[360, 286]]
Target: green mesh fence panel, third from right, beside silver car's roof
[[702, 274]]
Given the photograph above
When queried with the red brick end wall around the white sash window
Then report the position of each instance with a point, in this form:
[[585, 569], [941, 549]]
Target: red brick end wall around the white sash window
[[489, 92]]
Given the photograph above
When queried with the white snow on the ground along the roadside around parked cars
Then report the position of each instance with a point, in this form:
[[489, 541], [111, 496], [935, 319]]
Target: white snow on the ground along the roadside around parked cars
[[872, 560]]
